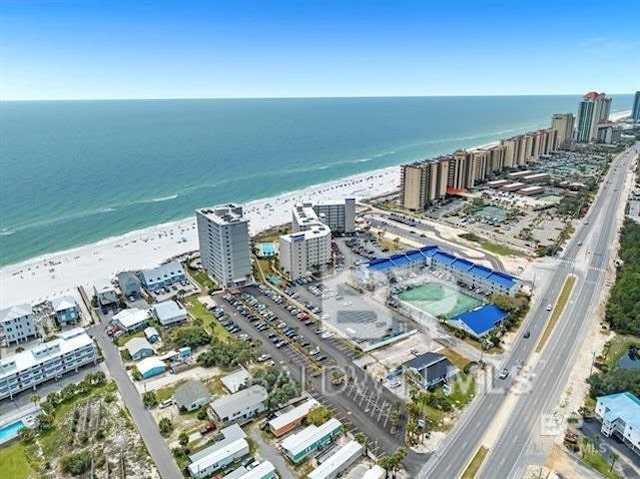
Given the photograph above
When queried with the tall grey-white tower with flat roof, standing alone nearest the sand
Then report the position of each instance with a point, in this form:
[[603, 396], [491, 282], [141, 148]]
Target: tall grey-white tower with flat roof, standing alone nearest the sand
[[225, 251]]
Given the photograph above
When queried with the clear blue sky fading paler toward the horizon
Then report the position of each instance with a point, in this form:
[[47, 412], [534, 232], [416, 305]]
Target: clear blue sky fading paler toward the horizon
[[88, 49]]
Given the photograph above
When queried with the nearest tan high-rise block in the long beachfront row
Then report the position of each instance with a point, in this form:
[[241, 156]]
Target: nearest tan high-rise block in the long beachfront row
[[423, 183]]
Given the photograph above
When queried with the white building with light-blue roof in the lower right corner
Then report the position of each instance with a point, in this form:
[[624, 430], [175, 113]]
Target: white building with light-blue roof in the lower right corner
[[620, 417]]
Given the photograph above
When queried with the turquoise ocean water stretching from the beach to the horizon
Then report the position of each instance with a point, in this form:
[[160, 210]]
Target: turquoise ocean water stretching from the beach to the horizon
[[72, 173]]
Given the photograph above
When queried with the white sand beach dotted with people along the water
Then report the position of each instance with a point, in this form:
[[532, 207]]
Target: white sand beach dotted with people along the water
[[52, 274]]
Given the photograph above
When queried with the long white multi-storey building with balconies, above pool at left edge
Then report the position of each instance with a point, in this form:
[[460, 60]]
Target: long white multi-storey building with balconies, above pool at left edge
[[26, 370]]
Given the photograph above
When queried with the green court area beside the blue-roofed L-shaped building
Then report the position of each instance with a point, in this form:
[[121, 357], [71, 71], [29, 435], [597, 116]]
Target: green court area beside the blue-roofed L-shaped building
[[437, 299]]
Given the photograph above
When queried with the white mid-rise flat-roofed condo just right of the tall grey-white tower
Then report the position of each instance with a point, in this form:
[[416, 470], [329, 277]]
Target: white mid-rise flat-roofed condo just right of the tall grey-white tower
[[308, 248]]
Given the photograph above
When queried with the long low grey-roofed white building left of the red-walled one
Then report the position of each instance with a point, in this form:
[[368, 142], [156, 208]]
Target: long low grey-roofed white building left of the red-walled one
[[241, 406]]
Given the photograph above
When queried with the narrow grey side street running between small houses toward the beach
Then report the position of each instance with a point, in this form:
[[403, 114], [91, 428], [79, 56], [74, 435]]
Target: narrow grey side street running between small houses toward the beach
[[145, 423]]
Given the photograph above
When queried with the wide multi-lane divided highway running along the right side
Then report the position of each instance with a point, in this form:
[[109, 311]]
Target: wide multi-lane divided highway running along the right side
[[592, 241]]
